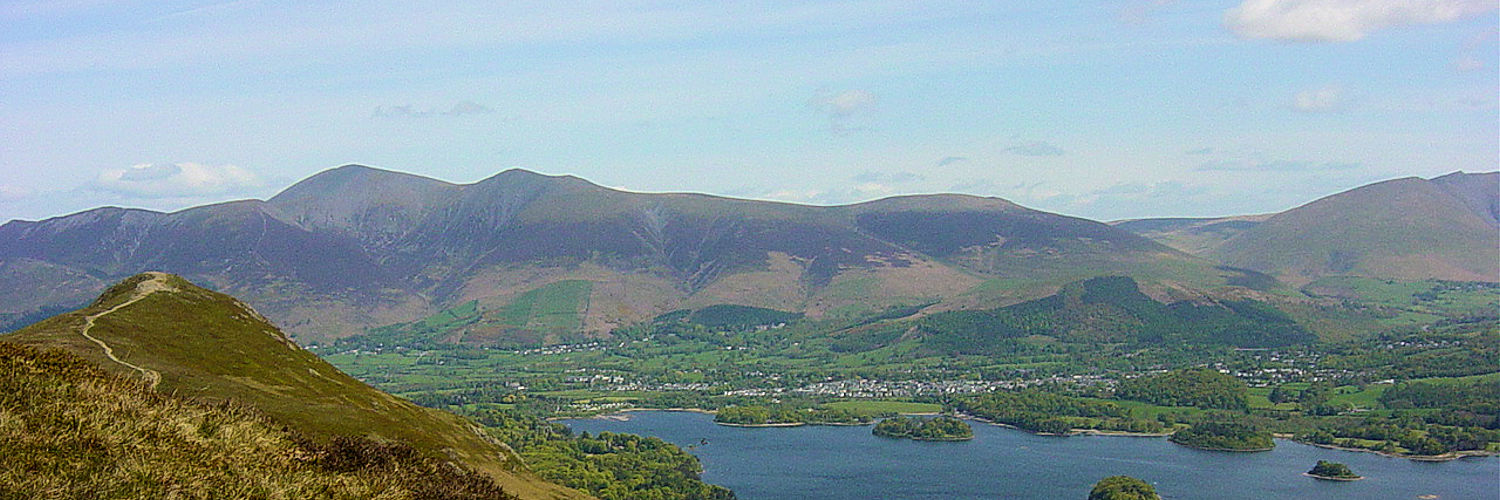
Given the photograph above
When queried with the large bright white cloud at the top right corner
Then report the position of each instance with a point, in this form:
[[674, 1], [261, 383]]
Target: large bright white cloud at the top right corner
[[1342, 20]]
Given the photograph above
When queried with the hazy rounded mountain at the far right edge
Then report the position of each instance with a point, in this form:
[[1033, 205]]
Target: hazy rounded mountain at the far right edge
[[1405, 229]]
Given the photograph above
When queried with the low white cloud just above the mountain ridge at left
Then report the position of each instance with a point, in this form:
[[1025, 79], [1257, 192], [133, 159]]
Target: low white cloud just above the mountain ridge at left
[[178, 181]]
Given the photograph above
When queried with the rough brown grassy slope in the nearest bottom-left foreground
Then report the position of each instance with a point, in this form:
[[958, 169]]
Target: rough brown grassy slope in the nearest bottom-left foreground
[[71, 430]]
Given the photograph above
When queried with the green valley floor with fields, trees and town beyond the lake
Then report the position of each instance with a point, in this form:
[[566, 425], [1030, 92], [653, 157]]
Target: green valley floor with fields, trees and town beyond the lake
[[1325, 393]]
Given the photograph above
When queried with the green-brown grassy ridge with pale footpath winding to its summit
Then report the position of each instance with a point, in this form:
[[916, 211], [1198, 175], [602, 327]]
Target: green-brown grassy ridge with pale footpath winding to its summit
[[200, 345]]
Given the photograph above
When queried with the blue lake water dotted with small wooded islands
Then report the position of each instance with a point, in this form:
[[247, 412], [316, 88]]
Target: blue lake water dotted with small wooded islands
[[1001, 463]]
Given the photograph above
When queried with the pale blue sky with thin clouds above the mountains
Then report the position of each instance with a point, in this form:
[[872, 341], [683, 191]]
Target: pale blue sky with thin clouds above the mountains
[[1106, 110]]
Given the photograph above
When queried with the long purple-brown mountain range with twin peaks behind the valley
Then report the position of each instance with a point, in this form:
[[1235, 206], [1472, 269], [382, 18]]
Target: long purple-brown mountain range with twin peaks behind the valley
[[356, 247]]
